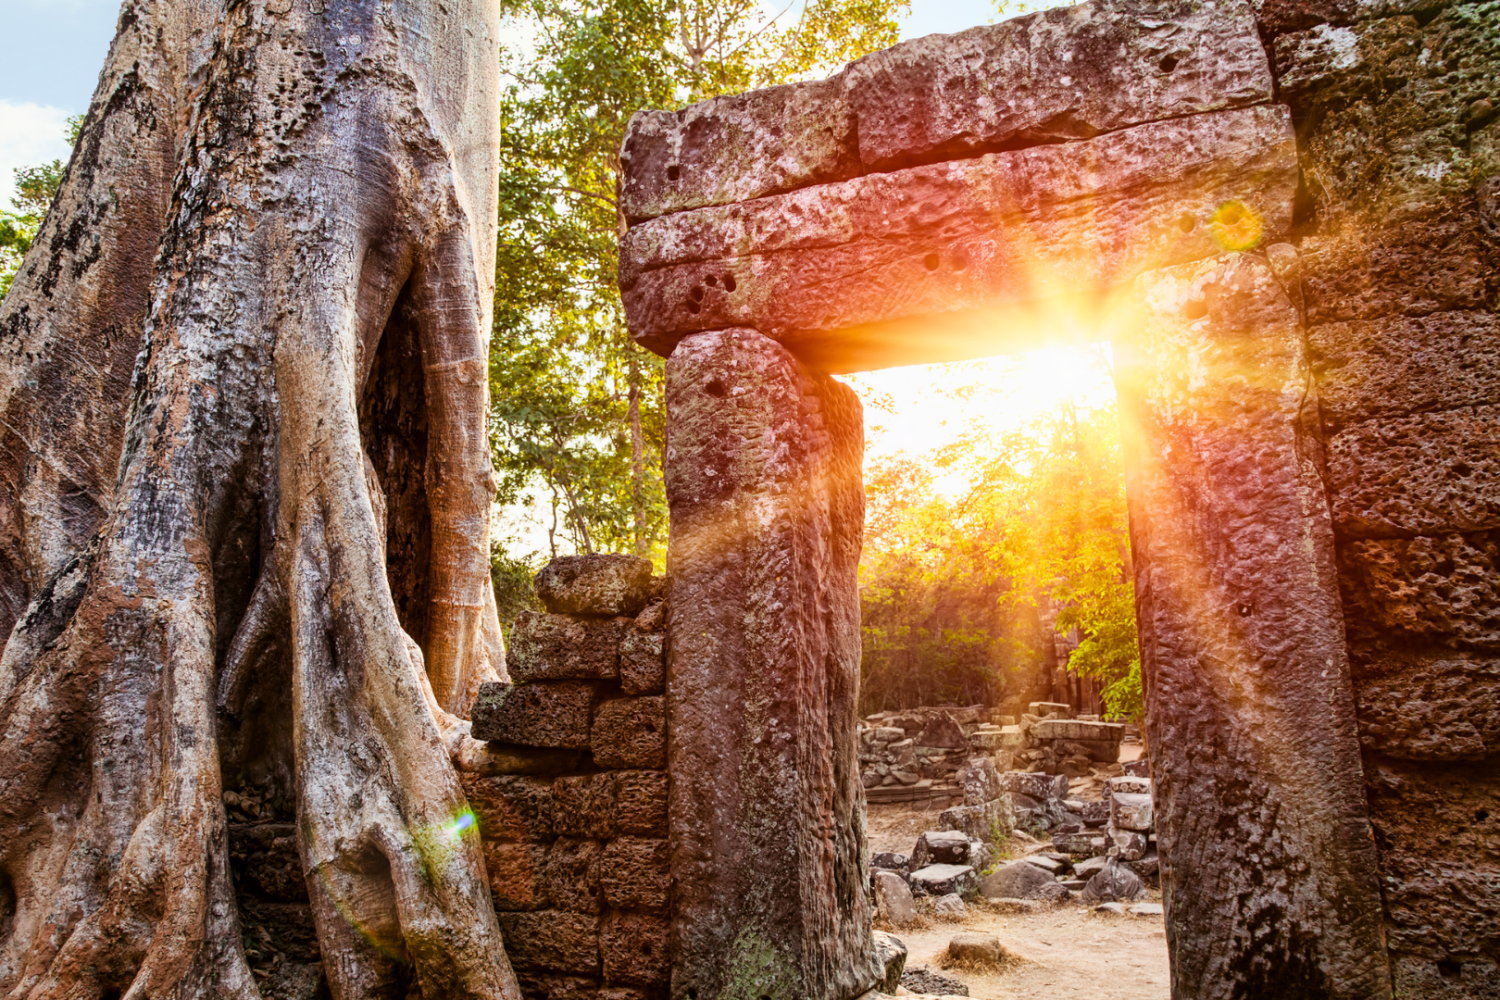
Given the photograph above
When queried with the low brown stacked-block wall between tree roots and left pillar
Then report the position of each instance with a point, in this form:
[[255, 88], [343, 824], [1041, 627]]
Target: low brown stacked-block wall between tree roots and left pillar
[[572, 794]]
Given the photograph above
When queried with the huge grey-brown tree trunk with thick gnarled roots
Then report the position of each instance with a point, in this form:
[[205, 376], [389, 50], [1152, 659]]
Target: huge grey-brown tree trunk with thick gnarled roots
[[275, 206]]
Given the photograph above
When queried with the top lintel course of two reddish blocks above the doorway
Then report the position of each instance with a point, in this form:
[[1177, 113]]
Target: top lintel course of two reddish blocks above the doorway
[[1049, 77]]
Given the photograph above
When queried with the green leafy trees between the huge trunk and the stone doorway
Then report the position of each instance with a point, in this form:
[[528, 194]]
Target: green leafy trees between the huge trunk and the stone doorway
[[578, 410]]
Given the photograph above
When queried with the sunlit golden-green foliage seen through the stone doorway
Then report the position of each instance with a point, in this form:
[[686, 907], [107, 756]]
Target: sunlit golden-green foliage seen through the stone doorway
[[953, 588]]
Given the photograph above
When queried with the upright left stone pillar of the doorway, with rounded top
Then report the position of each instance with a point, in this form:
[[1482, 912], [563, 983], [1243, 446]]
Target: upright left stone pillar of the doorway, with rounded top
[[767, 813]]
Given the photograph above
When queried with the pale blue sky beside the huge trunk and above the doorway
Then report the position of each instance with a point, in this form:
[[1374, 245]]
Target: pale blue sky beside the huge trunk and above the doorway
[[56, 47]]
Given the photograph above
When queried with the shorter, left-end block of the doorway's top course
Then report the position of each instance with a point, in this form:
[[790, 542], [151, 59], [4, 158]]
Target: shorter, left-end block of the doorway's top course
[[739, 148]]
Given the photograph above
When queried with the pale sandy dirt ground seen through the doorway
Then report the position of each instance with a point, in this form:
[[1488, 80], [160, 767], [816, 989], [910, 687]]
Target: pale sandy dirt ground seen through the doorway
[[1064, 953]]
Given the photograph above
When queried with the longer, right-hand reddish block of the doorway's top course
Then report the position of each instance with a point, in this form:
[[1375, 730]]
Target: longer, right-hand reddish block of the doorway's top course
[[1061, 74]]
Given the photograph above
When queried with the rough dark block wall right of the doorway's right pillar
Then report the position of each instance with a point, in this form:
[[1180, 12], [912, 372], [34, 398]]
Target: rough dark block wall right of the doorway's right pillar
[[1400, 233]]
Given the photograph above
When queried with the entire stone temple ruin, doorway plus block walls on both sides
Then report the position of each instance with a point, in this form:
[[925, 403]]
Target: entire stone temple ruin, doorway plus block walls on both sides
[[1300, 202]]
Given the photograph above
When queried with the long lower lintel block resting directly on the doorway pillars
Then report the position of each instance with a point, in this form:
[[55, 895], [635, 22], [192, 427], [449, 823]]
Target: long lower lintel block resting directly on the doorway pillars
[[865, 257]]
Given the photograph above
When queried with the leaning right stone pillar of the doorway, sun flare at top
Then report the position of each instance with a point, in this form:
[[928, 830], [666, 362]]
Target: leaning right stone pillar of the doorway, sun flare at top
[[1268, 858]]
